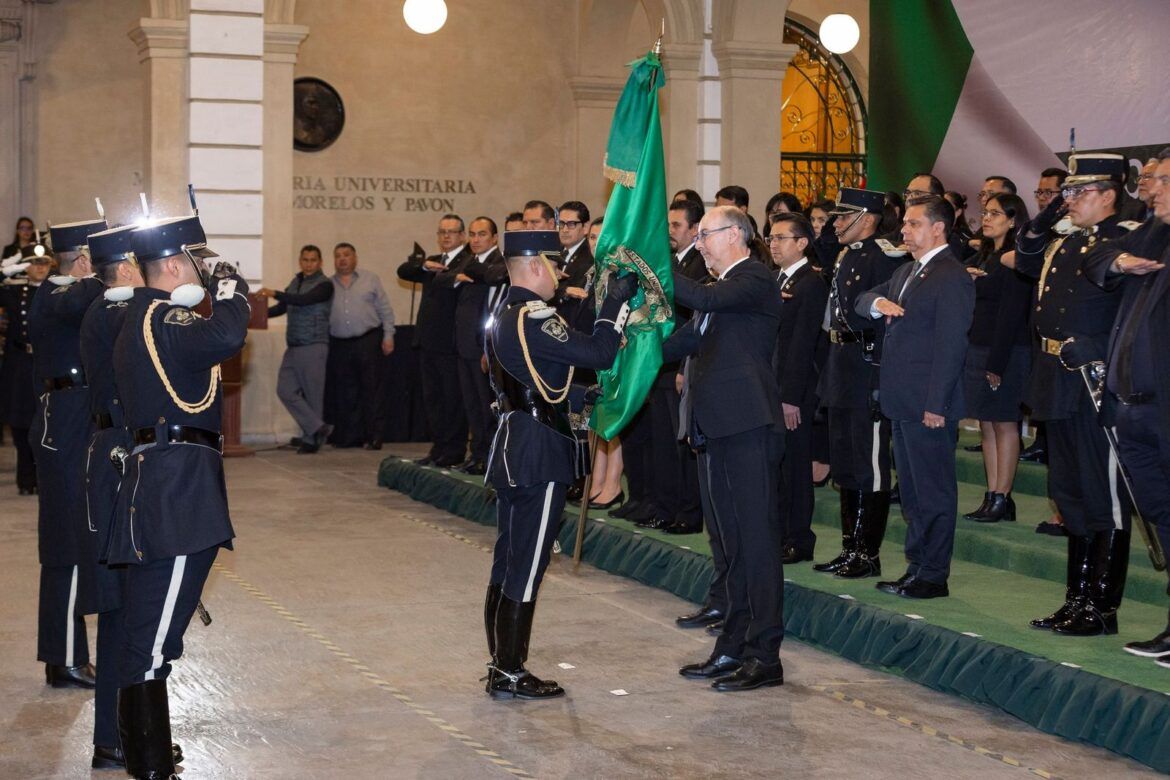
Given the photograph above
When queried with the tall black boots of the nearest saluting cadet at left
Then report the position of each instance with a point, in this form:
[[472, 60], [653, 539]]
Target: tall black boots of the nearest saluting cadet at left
[[144, 724]]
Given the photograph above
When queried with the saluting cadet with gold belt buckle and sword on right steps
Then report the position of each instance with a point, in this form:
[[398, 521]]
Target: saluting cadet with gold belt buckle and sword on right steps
[[1083, 473]]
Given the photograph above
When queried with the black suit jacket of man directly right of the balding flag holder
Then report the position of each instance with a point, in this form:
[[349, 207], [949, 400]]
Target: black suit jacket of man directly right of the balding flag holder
[[797, 347]]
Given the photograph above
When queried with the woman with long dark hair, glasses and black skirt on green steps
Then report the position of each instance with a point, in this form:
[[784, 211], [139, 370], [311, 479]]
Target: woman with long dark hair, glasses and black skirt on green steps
[[997, 360]]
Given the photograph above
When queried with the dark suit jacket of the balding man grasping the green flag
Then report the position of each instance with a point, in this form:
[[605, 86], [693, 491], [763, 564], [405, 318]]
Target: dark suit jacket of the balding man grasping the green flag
[[732, 386]]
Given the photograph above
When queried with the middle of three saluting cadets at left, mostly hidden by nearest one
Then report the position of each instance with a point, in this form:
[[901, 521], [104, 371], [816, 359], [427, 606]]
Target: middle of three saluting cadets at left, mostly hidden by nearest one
[[115, 266]]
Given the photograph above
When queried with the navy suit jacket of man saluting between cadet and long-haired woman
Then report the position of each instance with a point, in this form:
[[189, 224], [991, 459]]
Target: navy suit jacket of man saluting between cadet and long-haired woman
[[923, 358]]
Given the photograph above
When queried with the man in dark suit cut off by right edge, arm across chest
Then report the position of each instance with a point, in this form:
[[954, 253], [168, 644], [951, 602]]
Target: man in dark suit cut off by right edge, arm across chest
[[1138, 383]]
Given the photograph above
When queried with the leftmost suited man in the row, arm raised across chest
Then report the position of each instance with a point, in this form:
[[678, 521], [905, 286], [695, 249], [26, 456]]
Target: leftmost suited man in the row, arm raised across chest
[[435, 336]]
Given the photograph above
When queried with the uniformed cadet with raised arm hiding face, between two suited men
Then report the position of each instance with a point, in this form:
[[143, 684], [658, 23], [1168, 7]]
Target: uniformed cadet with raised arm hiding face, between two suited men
[[859, 434]]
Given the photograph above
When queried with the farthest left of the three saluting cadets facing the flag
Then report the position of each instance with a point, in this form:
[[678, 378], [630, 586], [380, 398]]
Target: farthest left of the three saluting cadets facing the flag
[[60, 438]]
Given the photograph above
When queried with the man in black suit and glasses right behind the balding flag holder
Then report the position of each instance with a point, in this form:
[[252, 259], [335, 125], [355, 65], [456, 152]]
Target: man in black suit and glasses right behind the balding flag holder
[[804, 294]]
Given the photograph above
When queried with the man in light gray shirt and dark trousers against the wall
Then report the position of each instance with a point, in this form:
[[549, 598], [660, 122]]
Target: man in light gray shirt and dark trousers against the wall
[[361, 333]]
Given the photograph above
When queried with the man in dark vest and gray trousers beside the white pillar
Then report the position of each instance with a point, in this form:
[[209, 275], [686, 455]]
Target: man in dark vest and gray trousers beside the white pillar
[[301, 383]]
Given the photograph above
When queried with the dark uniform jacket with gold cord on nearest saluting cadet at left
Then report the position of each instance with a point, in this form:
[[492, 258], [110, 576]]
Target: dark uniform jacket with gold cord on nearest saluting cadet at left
[[174, 500]]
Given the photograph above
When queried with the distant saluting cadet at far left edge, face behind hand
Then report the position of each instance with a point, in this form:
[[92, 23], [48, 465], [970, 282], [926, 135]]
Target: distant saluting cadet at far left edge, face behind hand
[[18, 391]]
